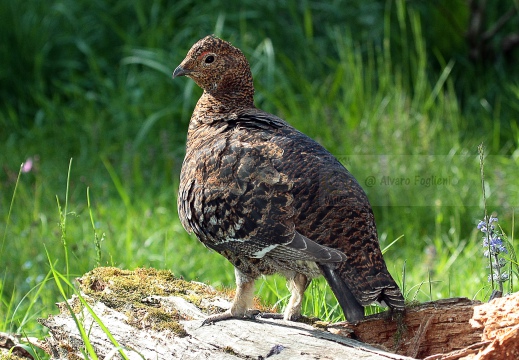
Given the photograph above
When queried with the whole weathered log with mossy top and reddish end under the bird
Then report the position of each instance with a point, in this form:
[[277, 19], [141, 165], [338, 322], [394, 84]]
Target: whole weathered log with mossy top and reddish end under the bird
[[166, 326]]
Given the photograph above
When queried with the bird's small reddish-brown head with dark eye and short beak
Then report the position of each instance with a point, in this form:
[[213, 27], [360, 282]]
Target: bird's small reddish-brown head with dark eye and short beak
[[218, 68]]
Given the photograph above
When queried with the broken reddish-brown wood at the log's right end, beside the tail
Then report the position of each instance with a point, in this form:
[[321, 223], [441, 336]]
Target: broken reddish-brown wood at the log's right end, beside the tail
[[448, 329]]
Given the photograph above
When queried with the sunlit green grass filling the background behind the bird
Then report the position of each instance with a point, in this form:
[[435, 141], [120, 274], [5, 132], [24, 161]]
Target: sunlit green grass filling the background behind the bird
[[93, 85]]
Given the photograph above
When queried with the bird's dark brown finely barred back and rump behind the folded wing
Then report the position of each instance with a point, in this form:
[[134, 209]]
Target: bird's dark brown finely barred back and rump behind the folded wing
[[332, 209]]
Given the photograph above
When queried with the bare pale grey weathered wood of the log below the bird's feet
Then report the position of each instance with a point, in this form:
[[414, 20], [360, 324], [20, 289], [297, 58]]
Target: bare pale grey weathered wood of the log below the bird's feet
[[232, 339]]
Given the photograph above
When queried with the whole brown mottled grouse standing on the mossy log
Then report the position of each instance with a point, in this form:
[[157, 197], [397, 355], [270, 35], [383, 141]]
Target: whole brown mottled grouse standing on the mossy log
[[272, 200]]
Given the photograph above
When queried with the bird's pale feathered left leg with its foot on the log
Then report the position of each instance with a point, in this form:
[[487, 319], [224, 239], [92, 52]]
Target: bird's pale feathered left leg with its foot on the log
[[242, 303]]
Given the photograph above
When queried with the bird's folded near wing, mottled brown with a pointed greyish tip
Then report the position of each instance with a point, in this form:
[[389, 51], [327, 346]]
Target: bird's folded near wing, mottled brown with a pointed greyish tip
[[233, 197]]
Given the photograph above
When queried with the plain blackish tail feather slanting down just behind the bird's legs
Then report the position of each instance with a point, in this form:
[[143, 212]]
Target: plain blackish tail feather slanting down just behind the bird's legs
[[352, 309]]
